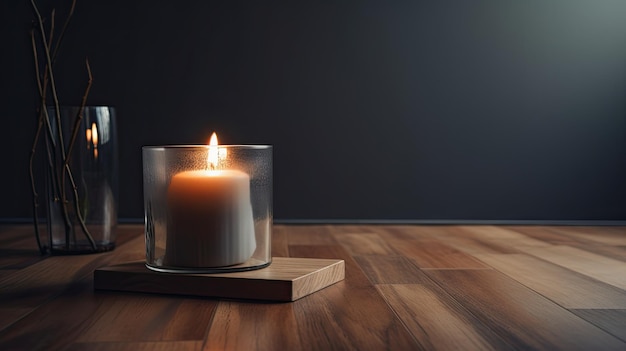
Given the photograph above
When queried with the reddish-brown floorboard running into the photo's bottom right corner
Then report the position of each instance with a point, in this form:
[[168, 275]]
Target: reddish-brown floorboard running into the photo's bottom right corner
[[523, 318]]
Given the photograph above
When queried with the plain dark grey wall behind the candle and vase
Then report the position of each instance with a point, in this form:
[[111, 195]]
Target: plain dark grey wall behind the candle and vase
[[470, 110]]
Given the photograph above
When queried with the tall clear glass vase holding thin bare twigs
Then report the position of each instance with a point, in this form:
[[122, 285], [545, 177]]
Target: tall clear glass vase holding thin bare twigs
[[81, 169]]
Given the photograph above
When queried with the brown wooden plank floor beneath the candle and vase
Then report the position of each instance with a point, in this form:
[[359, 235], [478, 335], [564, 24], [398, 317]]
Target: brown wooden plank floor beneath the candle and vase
[[406, 288]]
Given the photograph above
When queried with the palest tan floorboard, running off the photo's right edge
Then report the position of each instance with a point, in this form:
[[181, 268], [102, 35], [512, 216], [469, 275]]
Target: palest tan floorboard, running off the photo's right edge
[[598, 267]]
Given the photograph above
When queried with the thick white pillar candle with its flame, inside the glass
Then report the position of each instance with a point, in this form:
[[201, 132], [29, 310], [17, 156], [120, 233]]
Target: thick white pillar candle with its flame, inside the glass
[[210, 222]]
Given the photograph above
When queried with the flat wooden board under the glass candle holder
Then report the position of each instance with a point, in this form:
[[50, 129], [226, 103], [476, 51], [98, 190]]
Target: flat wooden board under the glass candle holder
[[286, 279]]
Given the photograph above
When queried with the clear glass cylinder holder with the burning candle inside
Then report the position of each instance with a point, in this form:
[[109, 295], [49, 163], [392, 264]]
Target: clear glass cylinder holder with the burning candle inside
[[208, 209]]
